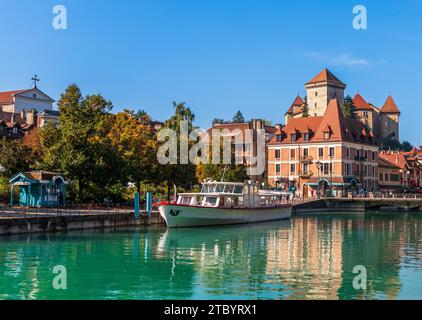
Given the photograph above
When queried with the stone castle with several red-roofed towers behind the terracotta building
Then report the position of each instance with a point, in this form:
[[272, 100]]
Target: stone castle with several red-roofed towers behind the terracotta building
[[383, 121]]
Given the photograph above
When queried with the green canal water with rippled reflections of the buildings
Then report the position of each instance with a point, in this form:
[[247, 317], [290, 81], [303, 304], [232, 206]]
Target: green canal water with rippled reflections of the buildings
[[306, 258]]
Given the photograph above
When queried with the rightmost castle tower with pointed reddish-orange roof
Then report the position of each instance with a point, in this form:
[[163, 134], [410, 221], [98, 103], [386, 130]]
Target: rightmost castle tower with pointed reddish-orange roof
[[390, 115]]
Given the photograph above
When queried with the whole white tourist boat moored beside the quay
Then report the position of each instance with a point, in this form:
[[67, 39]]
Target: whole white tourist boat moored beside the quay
[[225, 203]]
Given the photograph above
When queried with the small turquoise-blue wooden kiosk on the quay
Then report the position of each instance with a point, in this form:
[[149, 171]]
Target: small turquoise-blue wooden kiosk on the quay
[[39, 189]]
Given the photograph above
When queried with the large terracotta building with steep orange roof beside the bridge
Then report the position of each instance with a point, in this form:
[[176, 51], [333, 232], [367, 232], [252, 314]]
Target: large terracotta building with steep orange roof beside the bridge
[[320, 154]]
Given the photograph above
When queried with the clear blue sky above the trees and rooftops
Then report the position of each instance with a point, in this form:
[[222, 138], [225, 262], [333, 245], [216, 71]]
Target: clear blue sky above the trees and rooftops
[[217, 56]]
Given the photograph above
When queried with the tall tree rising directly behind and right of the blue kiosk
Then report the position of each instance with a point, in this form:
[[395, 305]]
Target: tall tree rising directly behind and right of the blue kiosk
[[80, 148]]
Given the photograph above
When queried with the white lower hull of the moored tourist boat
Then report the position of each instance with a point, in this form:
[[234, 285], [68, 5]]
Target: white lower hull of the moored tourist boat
[[177, 216]]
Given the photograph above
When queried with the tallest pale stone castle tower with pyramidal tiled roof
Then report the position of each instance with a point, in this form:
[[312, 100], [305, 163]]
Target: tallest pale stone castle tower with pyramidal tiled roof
[[321, 89]]
